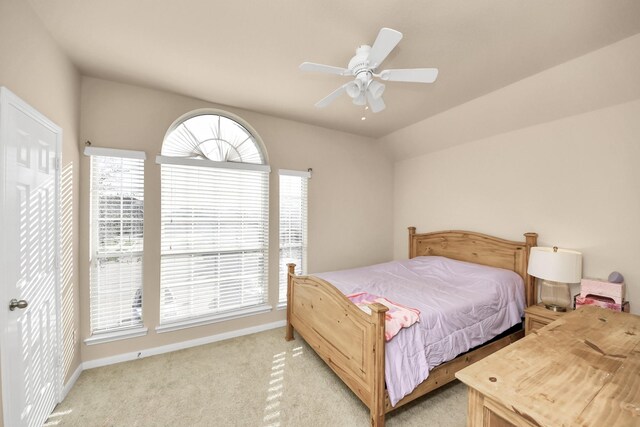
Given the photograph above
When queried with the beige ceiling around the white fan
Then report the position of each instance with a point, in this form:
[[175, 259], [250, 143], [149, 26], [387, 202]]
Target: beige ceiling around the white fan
[[245, 53]]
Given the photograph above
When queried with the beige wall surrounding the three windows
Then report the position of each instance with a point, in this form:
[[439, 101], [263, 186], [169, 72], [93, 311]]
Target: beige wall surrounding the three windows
[[349, 211]]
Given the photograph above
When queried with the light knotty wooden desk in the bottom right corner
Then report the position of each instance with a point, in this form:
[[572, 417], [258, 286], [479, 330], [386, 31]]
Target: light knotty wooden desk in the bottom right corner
[[581, 370]]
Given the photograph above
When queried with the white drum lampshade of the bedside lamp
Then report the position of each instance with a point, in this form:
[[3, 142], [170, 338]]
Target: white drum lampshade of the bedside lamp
[[557, 265]]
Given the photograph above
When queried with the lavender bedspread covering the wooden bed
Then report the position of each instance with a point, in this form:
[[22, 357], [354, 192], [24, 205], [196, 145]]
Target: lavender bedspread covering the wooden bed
[[461, 305]]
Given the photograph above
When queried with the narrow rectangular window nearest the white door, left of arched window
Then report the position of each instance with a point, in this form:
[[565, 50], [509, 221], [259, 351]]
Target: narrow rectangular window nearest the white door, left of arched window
[[117, 218]]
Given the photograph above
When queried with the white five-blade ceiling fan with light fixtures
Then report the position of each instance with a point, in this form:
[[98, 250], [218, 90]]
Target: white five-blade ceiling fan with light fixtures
[[364, 90]]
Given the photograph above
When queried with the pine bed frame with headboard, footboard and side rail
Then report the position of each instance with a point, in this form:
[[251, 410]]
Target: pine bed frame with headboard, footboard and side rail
[[352, 342]]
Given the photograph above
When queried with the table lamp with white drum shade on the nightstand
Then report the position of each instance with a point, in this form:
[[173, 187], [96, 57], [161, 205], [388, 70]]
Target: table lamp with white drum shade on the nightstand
[[556, 268]]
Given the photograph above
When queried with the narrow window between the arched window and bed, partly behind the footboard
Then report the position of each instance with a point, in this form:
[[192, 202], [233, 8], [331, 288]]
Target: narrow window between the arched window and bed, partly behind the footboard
[[293, 226]]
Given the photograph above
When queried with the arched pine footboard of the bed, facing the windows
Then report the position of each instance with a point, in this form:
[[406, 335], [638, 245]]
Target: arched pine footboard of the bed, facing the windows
[[349, 340]]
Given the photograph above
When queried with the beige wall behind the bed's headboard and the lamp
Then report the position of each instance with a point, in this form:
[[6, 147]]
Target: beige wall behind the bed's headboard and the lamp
[[570, 175]]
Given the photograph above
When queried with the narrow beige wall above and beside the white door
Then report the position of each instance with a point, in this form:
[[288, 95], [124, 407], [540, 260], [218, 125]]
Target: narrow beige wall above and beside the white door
[[33, 67]]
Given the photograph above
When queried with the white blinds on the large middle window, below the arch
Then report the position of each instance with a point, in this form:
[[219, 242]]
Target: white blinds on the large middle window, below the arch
[[214, 240]]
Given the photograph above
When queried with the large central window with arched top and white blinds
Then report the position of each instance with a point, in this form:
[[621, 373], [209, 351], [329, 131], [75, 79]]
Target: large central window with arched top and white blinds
[[214, 220]]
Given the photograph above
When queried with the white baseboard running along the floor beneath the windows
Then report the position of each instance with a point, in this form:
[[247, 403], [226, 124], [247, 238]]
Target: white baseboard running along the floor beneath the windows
[[125, 357]]
